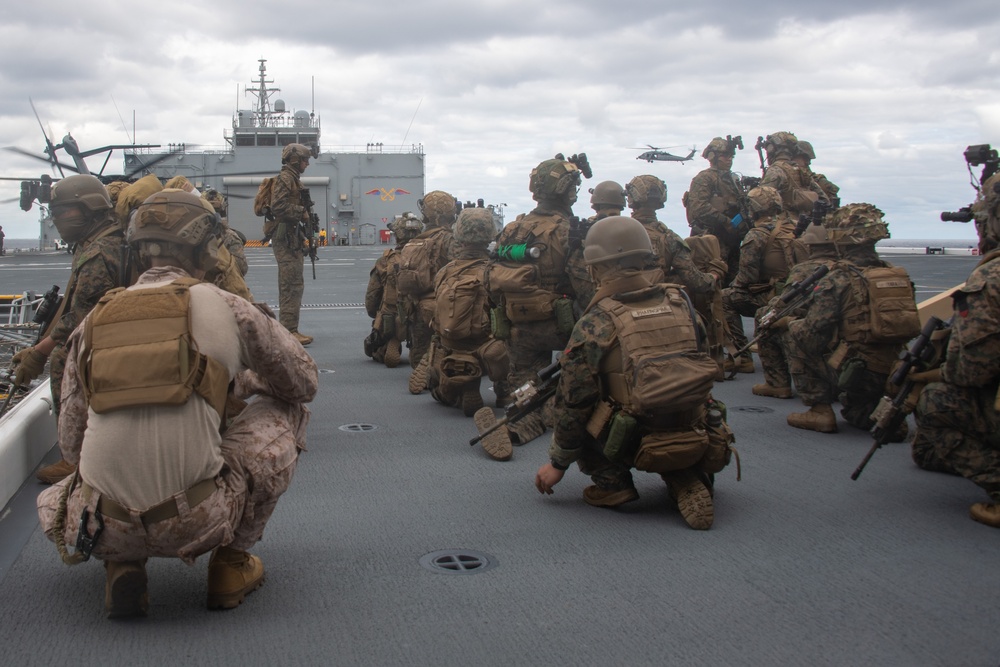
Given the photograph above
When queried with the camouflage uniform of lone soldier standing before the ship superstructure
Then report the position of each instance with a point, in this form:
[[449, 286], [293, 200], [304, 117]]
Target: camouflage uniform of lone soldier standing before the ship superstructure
[[286, 242]]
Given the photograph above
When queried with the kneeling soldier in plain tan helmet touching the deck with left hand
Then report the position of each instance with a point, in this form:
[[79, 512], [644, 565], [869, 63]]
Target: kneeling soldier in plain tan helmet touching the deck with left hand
[[635, 385]]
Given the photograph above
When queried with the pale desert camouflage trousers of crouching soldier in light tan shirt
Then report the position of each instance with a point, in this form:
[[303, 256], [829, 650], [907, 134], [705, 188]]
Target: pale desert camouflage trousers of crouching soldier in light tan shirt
[[260, 449]]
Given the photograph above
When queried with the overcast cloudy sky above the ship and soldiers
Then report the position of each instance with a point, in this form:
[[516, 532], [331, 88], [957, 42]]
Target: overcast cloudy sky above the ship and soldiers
[[889, 93]]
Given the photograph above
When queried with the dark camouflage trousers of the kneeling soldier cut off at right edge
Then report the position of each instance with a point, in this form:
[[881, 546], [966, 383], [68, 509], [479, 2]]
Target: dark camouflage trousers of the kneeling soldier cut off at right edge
[[958, 432]]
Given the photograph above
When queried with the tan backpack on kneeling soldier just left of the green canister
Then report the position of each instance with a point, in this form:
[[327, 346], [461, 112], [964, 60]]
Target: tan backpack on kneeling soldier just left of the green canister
[[460, 304]]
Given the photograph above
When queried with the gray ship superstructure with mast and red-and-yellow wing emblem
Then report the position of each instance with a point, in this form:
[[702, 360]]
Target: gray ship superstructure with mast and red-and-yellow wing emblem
[[356, 192]]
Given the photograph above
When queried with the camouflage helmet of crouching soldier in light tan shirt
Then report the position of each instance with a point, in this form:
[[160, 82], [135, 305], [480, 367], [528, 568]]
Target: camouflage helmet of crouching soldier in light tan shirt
[[172, 221]]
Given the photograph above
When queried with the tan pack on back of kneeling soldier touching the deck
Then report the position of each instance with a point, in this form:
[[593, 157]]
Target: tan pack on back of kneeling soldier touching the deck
[[664, 367]]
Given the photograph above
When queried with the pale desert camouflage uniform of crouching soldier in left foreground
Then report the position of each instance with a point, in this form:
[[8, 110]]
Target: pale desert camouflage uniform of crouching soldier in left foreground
[[259, 449]]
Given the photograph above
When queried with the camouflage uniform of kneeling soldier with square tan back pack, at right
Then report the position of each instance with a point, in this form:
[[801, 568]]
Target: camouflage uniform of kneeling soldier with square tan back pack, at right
[[813, 338]]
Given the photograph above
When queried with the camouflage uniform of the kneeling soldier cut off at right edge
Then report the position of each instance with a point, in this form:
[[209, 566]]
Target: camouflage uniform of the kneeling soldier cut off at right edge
[[958, 425]]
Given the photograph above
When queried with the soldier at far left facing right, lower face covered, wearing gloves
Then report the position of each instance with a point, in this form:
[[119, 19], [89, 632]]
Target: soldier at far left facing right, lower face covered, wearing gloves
[[82, 213]]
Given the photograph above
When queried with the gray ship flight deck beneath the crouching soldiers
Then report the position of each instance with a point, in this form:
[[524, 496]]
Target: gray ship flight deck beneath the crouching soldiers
[[802, 567]]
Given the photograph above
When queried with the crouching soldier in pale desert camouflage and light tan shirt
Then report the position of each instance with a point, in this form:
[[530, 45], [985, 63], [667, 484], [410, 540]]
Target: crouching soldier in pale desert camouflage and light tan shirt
[[164, 470]]
